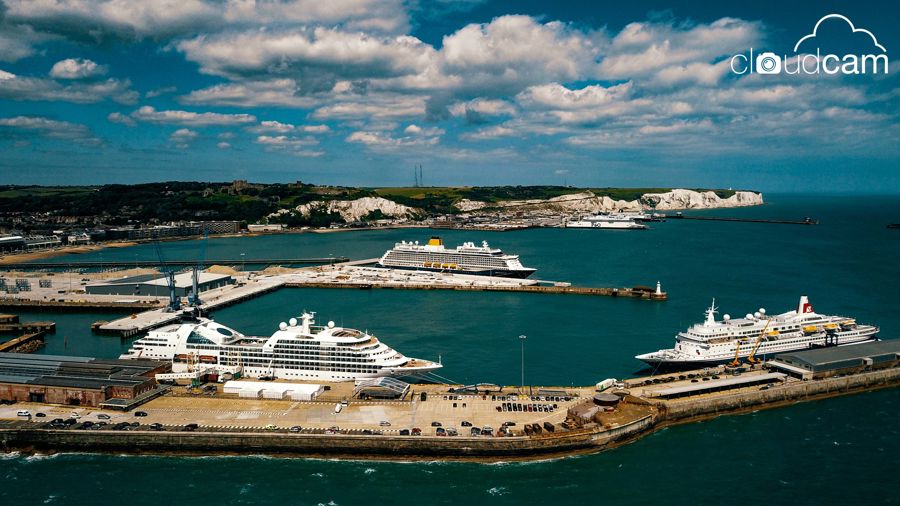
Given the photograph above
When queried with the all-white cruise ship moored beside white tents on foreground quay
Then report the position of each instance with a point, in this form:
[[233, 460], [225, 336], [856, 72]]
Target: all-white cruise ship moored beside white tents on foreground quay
[[297, 350]]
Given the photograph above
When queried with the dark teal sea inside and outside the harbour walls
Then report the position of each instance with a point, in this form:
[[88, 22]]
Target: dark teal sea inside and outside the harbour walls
[[838, 451]]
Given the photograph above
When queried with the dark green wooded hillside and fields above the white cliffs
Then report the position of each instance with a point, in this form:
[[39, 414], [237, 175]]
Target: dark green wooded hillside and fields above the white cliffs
[[250, 202]]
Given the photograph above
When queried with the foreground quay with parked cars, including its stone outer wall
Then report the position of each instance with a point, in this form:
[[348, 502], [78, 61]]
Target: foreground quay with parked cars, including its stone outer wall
[[546, 421]]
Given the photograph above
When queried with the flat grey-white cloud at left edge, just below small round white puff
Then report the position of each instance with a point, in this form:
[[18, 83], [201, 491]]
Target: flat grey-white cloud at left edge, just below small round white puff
[[14, 87]]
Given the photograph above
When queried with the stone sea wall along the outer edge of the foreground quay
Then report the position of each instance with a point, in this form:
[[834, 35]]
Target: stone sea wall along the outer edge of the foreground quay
[[593, 437]]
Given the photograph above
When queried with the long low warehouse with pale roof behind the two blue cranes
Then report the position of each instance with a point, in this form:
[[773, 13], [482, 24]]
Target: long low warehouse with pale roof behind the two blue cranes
[[156, 286]]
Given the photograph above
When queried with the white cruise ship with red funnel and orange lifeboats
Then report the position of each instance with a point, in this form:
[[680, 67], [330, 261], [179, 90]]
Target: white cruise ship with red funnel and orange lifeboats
[[757, 335]]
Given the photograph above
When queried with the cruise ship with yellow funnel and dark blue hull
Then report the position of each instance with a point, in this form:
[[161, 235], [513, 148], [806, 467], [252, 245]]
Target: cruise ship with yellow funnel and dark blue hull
[[467, 258]]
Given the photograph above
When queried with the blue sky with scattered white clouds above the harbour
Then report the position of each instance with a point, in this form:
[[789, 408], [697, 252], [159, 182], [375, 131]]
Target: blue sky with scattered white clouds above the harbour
[[358, 92]]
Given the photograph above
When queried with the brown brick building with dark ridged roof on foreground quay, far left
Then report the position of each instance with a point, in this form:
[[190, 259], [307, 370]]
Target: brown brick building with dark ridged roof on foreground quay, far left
[[77, 381]]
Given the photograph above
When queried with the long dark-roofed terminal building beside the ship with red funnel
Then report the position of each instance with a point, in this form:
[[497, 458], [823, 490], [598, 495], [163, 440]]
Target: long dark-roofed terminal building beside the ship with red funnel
[[825, 362]]
